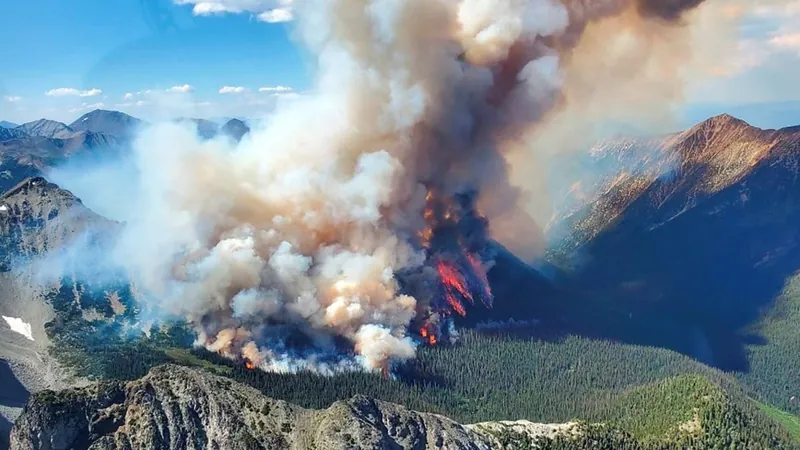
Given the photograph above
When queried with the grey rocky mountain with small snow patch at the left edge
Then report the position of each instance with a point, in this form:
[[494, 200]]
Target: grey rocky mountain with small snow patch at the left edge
[[37, 218]]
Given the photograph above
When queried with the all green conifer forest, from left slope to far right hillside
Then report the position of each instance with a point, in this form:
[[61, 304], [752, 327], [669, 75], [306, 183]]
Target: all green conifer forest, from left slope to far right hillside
[[641, 395]]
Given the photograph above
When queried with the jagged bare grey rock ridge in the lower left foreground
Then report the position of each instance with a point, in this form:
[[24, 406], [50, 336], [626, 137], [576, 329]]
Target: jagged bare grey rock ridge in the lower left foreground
[[176, 407]]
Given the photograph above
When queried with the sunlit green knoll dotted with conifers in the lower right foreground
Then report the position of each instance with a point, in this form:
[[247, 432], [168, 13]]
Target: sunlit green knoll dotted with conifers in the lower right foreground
[[682, 412]]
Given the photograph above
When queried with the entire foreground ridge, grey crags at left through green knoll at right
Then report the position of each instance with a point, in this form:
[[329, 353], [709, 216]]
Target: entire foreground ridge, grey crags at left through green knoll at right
[[177, 407]]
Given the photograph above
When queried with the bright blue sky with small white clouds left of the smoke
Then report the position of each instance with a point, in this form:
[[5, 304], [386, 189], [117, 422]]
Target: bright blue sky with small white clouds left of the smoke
[[90, 52]]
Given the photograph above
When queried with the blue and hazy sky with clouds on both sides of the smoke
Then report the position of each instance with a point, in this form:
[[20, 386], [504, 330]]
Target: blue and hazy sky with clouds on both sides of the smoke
[[212, 58]]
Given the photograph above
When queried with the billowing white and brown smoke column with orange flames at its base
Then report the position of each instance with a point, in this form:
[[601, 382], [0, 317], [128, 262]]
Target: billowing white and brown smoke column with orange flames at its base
[[346, 231]]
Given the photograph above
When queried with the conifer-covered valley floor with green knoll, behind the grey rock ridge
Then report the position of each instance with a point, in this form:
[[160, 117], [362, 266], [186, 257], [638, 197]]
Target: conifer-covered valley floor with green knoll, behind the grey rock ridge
[[642, 392]]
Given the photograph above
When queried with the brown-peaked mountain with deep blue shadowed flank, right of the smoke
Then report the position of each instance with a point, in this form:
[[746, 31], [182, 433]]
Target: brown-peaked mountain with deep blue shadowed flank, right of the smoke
[[693, 247]]
